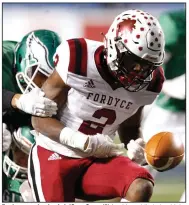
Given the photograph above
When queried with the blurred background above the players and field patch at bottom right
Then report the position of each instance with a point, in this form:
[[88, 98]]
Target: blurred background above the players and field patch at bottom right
[[73, 20]]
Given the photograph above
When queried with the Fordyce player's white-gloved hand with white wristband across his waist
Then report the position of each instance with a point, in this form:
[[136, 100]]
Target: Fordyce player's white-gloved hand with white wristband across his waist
[[99, 145]]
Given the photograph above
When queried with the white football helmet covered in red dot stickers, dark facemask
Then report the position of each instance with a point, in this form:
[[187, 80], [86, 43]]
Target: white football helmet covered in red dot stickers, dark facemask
[[134, 48]]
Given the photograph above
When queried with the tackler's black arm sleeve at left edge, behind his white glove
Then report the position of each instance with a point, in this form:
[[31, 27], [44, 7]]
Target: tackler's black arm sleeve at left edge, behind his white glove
[[7, 98]]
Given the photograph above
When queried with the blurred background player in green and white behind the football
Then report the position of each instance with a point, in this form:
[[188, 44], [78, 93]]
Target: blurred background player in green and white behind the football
[[168, 112]]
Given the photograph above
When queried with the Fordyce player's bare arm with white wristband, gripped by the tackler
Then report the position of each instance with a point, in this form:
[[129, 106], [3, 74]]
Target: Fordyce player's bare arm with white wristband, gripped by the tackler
[[57, 90]]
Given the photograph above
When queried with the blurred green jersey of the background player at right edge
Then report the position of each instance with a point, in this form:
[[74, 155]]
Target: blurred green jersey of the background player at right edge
[[174, 27]]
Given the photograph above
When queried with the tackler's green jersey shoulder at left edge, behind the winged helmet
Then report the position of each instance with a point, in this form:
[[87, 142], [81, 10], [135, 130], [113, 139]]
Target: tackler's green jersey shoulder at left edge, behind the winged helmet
[[8, 73]]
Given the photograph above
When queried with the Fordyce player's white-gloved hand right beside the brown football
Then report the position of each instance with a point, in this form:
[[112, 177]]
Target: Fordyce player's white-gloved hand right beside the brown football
[[136, 151]]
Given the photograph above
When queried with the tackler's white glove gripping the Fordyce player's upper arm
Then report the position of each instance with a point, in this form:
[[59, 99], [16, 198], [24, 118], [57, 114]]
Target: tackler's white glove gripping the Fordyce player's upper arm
[[35, 103]]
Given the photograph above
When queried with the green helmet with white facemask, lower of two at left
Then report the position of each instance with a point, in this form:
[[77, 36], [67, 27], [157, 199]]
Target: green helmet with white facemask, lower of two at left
[[24, 140]]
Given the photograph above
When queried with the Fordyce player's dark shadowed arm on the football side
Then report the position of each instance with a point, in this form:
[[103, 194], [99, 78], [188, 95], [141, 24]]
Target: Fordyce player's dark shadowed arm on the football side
[[130, 128]]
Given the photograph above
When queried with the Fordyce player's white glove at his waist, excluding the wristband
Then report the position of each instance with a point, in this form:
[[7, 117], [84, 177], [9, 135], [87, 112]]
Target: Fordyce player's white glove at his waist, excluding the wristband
[[102, 146]]
